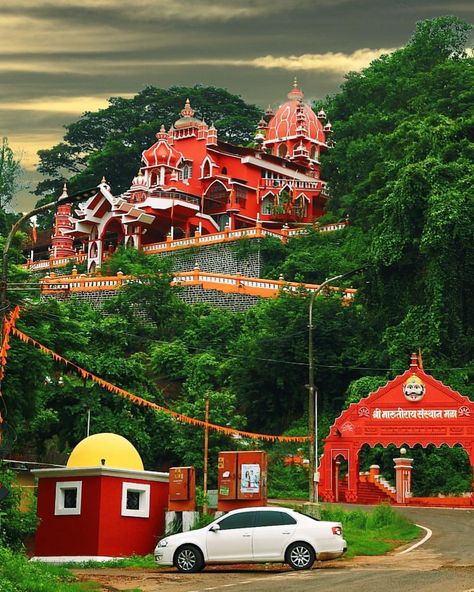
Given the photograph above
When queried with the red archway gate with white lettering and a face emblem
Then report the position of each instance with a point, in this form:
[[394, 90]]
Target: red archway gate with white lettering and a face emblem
[[414, 408]]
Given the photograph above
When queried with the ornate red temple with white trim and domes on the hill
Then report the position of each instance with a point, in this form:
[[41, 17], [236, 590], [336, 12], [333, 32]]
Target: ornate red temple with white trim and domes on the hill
[[191, 182]]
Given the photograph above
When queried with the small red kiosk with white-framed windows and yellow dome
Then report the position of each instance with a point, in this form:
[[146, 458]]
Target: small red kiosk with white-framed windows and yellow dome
[[102, 505]]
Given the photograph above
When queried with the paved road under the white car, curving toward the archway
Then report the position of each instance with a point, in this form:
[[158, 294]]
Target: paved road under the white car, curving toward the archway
[[444, 563]]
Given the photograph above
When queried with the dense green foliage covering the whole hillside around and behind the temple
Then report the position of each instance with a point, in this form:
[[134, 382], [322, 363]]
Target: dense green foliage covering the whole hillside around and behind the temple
[[402, 169]]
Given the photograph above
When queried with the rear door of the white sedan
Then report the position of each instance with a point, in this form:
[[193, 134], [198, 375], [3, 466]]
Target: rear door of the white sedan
[[272, 533]]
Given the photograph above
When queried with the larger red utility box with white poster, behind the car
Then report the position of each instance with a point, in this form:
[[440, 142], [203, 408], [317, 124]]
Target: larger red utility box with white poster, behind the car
[[242, 479]]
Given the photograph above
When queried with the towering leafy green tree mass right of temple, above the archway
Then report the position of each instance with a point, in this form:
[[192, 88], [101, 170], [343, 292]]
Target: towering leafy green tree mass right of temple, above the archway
[[402, 169]]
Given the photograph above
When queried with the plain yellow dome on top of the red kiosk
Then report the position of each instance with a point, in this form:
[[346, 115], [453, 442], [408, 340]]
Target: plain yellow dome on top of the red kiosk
[[109, 450]]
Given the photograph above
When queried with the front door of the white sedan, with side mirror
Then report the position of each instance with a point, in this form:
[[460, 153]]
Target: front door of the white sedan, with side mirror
[[233, 539]]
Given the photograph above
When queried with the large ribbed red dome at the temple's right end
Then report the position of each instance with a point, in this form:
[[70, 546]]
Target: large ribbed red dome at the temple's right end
[[288, 119]]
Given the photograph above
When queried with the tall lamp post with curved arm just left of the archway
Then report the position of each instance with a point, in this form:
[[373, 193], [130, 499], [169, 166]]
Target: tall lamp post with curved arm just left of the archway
[[313, 478]]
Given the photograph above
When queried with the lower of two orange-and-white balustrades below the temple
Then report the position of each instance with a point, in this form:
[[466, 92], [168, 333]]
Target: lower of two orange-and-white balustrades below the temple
[[262, 288]]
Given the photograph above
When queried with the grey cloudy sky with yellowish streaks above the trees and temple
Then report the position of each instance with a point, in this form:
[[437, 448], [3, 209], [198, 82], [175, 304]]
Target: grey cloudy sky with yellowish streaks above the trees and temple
[[61, 58]]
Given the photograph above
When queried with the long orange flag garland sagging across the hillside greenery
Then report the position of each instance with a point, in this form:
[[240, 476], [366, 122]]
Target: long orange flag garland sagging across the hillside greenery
[[86, 375]]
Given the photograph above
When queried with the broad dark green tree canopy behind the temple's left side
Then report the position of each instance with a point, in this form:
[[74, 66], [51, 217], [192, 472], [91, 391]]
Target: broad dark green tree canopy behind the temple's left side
[[109, 141]]
